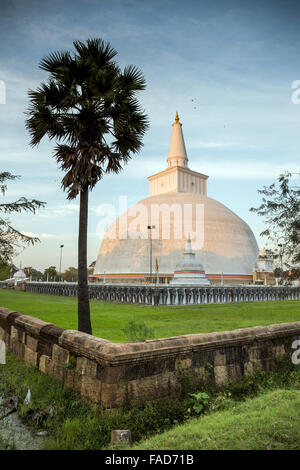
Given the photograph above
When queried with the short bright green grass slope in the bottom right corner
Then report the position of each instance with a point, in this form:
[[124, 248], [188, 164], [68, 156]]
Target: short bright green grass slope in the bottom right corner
[[269, 421]]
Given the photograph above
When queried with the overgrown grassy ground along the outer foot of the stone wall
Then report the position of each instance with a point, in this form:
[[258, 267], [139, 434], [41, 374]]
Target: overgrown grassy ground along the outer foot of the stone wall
[[233, 413]]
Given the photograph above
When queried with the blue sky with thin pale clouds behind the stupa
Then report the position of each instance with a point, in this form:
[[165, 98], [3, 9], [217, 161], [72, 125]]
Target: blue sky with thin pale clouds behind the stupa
[[227, 67]]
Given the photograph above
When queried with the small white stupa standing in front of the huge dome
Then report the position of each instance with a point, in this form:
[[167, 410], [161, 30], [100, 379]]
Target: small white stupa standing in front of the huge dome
[[189, 271]]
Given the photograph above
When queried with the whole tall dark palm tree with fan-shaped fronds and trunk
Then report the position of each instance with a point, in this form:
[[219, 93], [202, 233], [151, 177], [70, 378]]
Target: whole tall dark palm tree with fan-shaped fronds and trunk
[[90, 109]]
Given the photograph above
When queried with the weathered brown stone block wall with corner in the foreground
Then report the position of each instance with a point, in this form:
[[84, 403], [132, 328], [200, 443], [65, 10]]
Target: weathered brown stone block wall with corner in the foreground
[[109, 373]]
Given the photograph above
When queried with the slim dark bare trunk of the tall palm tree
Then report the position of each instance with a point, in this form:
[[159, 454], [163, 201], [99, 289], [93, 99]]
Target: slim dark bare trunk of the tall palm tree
[[84, 320]]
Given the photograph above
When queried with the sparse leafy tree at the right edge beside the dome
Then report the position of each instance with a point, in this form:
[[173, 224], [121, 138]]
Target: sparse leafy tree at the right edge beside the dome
[[281, 209]]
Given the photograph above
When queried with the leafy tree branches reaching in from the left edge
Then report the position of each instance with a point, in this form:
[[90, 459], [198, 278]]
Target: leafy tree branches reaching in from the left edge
[[12, 239]]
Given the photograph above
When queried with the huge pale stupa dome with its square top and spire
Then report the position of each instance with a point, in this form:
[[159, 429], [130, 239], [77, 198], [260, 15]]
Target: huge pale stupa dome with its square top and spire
[[177, 206]]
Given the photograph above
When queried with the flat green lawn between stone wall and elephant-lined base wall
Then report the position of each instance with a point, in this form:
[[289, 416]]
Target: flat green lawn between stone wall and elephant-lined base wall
[[109, 318]]
